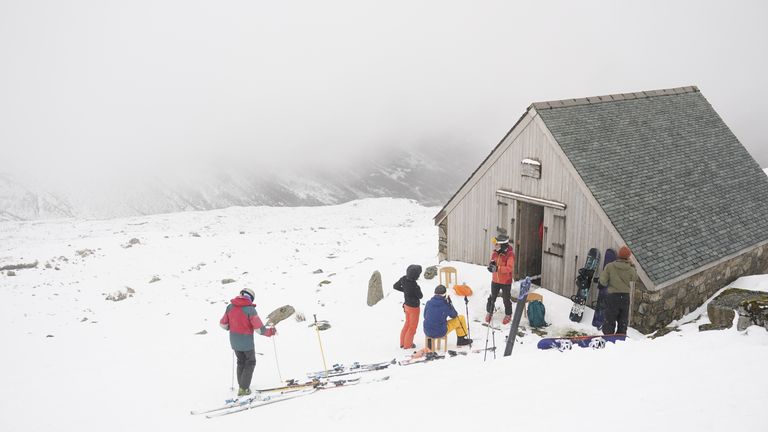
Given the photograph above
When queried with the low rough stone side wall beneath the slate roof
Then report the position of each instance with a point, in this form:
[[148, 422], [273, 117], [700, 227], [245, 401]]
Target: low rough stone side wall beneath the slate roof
[[652, 310]]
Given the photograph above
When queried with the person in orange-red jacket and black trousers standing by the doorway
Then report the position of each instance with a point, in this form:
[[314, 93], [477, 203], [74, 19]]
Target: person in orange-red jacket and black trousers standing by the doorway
[[502, 267]]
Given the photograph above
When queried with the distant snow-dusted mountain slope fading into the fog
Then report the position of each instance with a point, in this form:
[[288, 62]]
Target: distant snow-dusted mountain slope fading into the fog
[[429, 177]]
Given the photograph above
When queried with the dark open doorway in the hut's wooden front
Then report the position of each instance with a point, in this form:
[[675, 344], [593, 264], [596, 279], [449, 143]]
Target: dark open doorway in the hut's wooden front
[[528, 240]]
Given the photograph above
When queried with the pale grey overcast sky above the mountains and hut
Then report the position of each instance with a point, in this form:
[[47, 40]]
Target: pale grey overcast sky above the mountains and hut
[[100, 84]]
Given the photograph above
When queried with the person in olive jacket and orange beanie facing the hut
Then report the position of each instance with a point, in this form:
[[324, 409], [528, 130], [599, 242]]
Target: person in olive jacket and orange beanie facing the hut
[[619, 276]]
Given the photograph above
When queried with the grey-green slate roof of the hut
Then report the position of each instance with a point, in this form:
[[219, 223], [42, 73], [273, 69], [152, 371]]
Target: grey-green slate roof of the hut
[[670, 175]]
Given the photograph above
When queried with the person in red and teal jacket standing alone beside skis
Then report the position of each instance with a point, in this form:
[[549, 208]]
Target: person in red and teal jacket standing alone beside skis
[[241, 320]]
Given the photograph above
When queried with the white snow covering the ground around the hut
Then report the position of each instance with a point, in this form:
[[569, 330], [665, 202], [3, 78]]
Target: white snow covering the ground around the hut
[[139, 364]]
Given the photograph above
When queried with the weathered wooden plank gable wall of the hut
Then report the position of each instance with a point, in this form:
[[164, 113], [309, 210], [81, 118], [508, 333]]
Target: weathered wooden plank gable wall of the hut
[[473, 213]]
